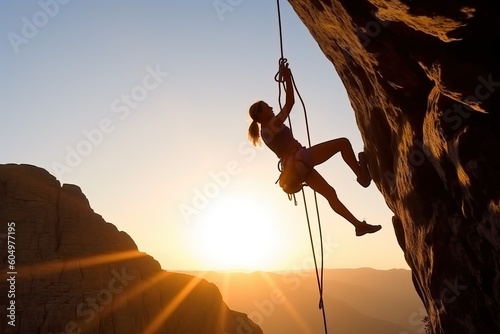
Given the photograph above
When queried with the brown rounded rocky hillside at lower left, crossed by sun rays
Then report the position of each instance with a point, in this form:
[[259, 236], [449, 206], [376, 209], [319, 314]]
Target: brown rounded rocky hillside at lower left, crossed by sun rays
[[74, 273]]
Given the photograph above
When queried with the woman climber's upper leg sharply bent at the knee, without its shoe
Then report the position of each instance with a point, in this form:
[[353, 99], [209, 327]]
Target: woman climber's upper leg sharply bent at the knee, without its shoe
[[324, 151]]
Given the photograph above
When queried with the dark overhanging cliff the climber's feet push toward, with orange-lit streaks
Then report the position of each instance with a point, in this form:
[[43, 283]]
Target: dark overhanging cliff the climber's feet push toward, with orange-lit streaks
[[423, 78]]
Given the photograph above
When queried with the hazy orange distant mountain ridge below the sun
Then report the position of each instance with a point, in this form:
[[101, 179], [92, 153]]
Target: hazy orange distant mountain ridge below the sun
[[357, 301]]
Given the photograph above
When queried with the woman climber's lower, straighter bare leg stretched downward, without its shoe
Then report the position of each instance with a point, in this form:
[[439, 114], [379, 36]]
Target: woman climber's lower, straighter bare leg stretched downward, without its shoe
[[318, 184]]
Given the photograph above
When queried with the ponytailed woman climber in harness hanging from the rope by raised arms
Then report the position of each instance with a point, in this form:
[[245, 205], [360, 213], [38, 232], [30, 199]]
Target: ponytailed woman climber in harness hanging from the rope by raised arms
[[294, 157]]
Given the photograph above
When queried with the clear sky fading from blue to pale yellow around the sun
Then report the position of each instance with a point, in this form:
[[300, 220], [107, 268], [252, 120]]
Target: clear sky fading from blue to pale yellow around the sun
[[144, 105]]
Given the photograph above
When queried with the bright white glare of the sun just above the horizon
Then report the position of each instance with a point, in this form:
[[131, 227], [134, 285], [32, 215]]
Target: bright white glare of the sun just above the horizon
[[238, 233]]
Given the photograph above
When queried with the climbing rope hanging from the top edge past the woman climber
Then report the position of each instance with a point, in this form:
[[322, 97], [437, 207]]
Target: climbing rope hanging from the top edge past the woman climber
[[319, 272]]
